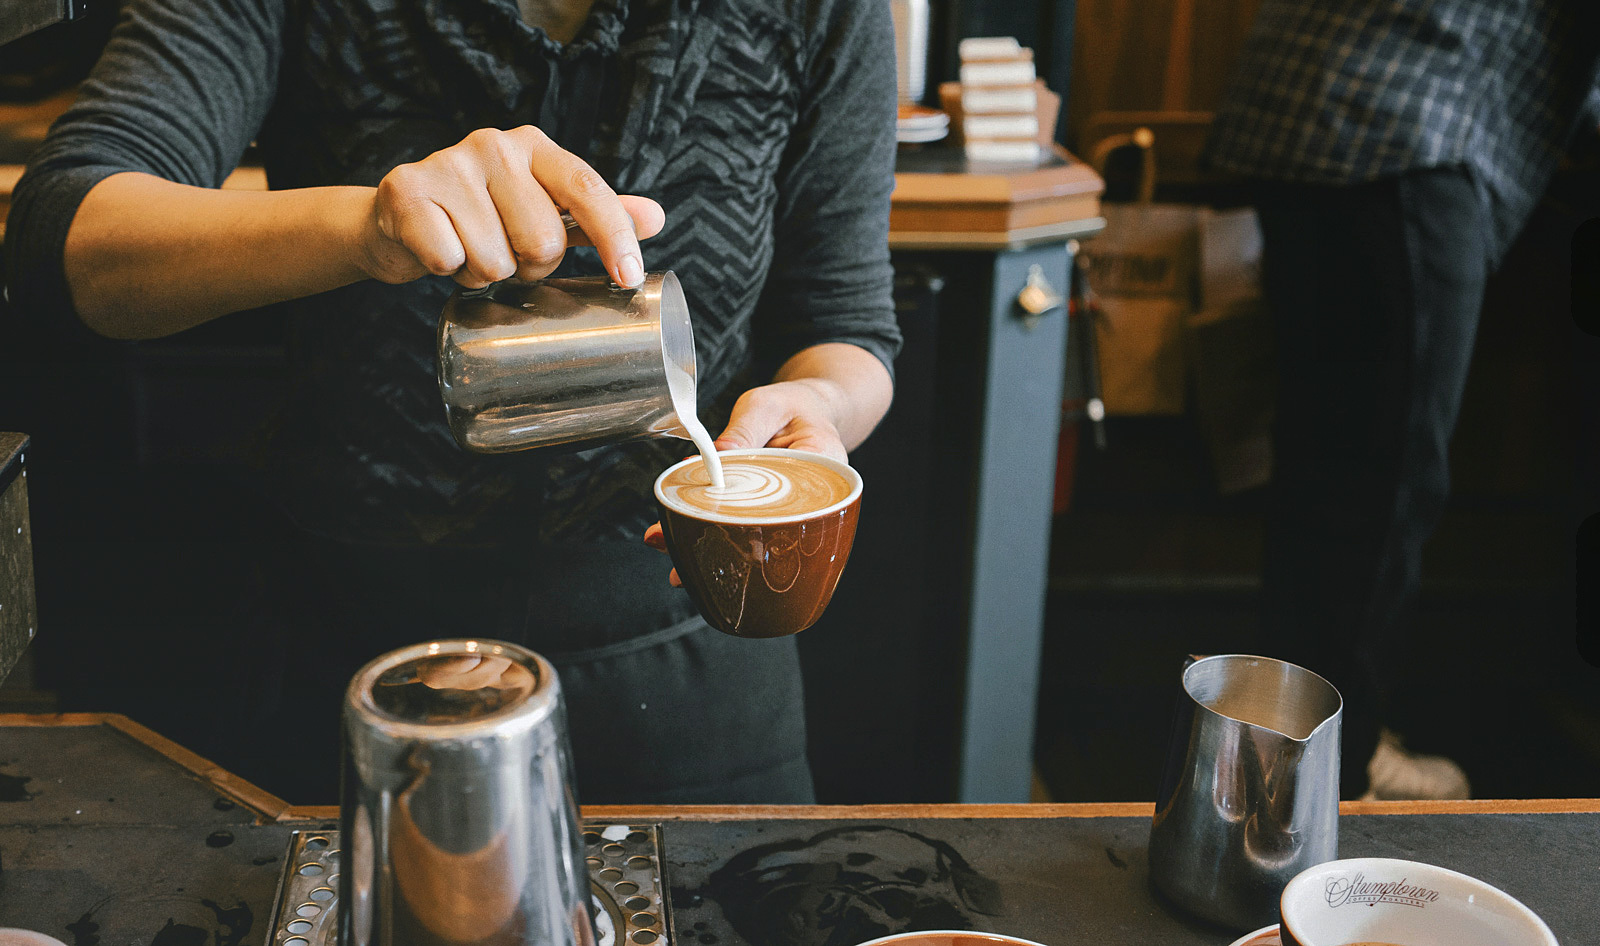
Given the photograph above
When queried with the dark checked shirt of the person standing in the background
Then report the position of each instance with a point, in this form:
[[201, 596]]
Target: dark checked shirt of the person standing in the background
[[1340, 92]]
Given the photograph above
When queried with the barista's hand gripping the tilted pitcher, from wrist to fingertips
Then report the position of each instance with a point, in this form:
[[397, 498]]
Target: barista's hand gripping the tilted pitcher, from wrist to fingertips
[[490, 209]]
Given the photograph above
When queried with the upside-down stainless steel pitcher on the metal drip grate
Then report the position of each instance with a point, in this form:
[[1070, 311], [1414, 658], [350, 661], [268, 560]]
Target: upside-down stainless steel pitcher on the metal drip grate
[[458, 817]]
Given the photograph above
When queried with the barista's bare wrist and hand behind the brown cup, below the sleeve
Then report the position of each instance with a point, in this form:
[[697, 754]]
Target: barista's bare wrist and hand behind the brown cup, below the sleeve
[[826, 399]]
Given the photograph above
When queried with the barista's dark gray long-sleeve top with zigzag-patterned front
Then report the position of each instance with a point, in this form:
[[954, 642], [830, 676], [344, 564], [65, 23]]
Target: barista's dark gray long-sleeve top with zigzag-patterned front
[[766, 130]]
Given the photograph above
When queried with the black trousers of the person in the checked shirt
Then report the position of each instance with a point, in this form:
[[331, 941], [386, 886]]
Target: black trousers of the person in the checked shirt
[[1375, 294]]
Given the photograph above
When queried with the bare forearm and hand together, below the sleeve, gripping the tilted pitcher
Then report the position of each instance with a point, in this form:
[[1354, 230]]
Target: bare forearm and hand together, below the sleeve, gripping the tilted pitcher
[[148, 257]]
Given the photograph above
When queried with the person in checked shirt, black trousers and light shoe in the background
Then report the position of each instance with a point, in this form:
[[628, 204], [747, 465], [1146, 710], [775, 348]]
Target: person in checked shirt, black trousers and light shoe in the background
[[1396, 148]]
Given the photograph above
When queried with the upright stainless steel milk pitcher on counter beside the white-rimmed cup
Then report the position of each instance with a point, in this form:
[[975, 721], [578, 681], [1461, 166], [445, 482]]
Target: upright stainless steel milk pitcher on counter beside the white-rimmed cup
[[1250, 792]]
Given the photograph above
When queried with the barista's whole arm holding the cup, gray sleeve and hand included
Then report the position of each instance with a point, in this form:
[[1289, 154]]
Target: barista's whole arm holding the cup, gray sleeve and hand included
[[826, 316]]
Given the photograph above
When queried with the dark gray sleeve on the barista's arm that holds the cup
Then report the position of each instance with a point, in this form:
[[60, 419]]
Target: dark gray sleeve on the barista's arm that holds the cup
[[831, 278]]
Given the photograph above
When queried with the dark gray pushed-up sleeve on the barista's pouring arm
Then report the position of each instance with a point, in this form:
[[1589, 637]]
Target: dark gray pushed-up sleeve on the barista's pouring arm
[[180, 94]]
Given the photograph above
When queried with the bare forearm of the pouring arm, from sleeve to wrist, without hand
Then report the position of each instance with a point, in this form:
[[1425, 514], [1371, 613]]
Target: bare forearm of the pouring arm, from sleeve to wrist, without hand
[[148, 257]]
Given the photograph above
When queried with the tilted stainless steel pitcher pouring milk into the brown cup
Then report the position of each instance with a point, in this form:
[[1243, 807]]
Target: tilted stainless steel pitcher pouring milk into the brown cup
[[567, 361]]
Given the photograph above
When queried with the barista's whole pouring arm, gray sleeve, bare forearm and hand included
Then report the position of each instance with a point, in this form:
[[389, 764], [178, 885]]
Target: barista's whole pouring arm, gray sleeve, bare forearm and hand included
[[121, 217]]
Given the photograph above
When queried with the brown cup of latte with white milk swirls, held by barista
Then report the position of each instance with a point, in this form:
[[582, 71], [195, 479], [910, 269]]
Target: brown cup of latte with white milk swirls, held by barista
[[762, 555]]
